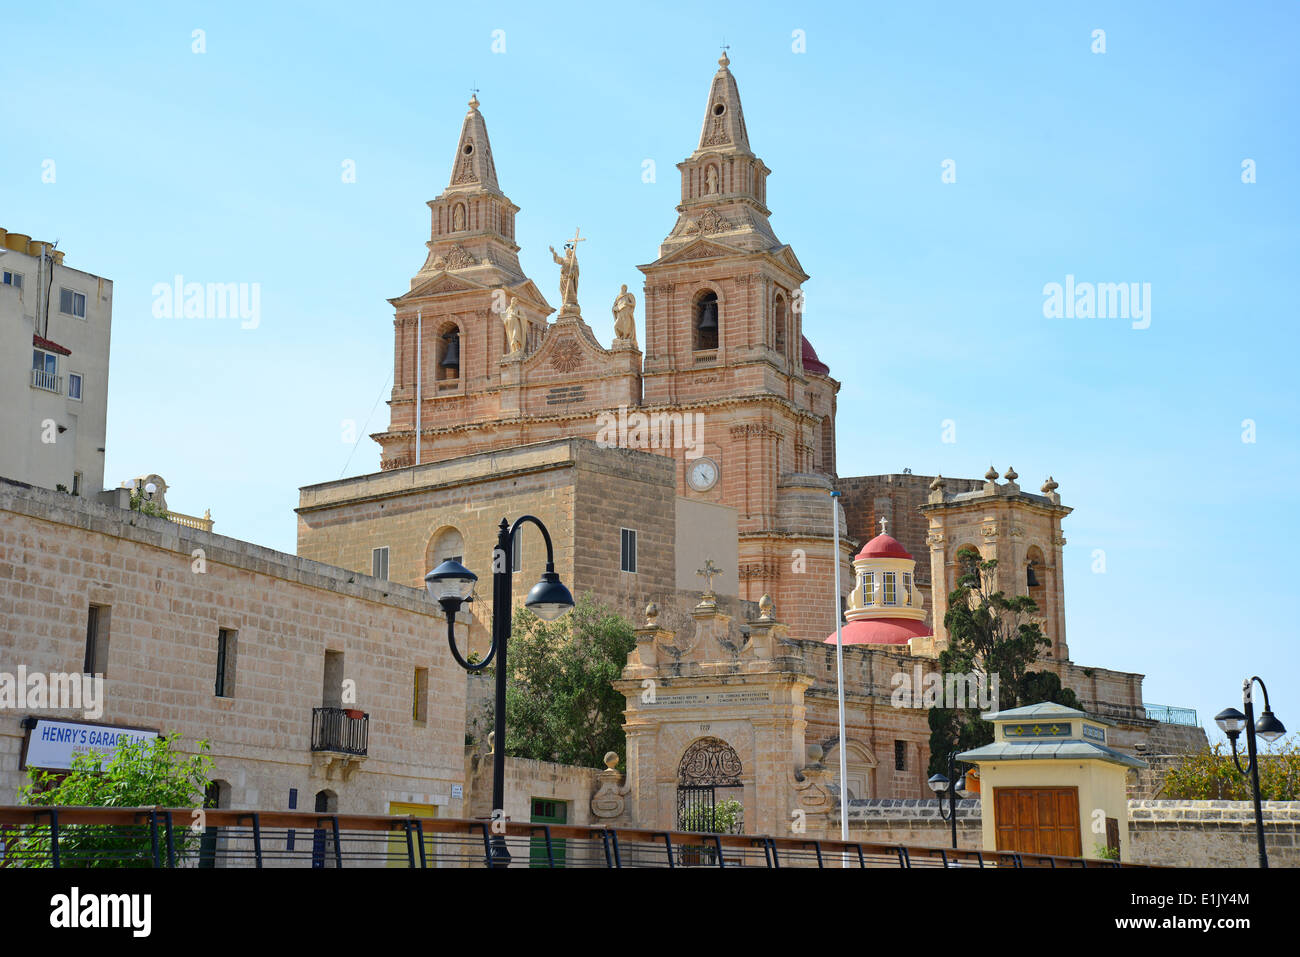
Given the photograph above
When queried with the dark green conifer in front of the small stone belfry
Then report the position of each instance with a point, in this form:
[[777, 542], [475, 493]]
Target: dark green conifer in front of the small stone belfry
[[990, 635]]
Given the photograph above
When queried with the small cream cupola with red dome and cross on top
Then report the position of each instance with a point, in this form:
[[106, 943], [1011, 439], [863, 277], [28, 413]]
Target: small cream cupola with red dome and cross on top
[[886, 607]]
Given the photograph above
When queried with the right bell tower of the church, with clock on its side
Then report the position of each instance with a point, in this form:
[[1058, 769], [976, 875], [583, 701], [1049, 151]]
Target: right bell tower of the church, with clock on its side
[[725, 343]]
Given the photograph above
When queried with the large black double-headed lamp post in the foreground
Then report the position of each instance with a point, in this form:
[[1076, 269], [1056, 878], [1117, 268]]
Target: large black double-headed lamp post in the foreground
[[452, 586]]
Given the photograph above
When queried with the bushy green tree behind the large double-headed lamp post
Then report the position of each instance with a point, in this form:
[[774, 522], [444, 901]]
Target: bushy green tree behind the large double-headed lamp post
[[561, 704]]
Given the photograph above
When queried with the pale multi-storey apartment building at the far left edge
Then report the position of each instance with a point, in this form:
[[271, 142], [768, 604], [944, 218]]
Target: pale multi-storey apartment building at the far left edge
[[54, 367]]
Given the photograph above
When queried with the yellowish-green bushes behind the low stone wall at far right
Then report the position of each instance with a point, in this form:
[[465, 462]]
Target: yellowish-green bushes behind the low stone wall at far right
[[1211, 776]]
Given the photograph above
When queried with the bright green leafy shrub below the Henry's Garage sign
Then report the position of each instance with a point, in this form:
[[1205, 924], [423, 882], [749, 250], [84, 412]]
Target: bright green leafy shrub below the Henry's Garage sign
[[142, 774]]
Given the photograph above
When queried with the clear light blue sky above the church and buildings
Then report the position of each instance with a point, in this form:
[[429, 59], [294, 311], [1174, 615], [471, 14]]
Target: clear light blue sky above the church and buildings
[[926, 297]]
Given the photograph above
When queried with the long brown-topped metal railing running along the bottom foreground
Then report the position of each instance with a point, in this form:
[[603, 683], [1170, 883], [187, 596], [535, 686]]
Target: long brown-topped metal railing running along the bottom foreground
[[37, 837]]
